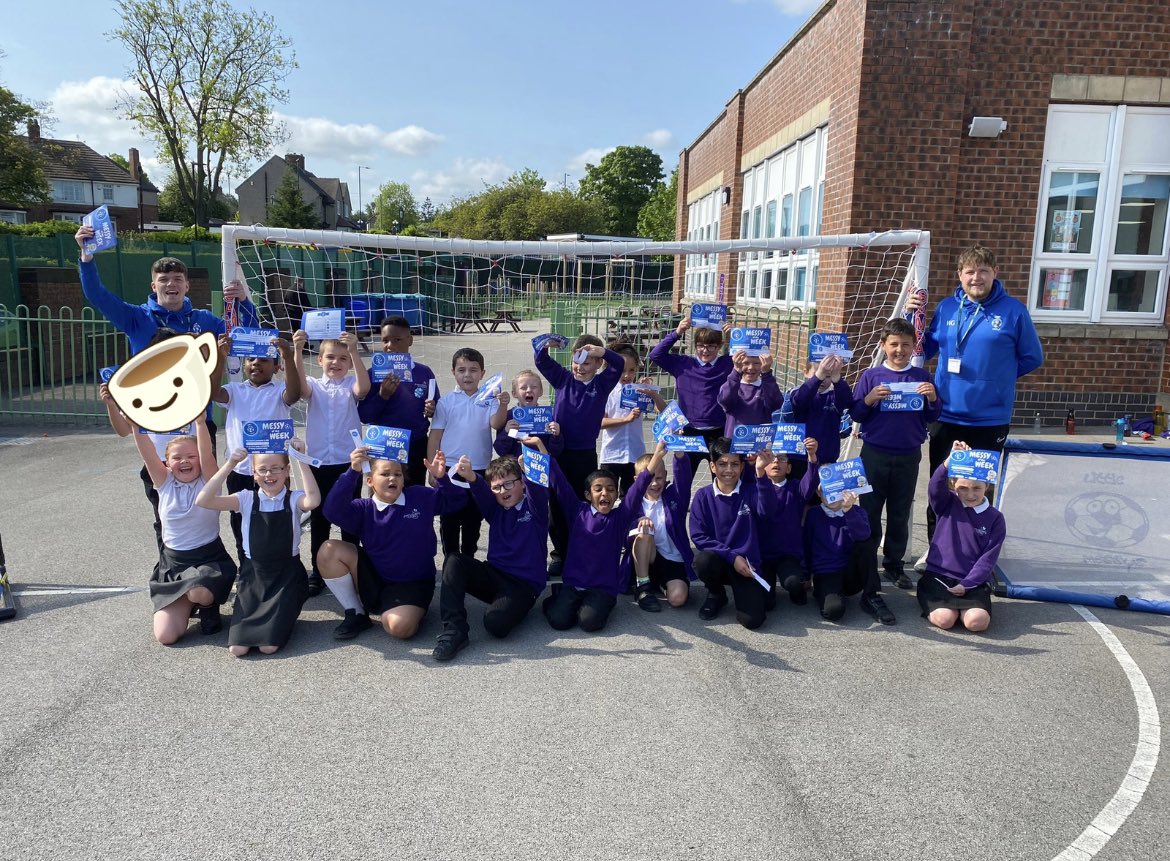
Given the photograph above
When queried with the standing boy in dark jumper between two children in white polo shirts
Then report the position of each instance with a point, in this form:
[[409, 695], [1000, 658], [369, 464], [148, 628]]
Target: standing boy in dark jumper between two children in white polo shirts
[[396, 403]]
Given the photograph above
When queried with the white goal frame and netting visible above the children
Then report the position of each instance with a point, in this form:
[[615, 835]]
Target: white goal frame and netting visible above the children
[[495, 297]]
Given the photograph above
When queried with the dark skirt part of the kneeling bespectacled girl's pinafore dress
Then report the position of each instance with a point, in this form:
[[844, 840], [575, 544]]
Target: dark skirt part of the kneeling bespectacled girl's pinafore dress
[[269, 602]]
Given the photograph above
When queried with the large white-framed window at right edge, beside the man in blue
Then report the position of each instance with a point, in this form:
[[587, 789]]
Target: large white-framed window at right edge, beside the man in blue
[[1103, 251]]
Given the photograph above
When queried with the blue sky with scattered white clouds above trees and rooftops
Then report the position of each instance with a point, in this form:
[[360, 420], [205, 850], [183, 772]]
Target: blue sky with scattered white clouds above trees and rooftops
[[445, 95]]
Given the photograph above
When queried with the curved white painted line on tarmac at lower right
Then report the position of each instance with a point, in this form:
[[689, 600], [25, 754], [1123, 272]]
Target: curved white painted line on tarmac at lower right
[[1146, 759]]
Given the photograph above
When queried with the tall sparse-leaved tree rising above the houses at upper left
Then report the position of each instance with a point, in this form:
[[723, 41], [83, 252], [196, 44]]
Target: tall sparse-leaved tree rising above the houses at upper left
[[208, 78]]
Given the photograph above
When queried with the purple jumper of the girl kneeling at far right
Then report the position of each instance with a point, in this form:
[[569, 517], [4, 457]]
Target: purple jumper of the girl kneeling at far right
[[967, 543]]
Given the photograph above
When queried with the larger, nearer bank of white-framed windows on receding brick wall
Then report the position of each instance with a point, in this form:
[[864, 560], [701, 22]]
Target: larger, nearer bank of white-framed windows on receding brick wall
[[783, 197]]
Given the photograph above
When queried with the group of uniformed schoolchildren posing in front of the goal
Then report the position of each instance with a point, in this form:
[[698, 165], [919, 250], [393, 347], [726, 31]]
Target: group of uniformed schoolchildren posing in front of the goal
[[617, 524]]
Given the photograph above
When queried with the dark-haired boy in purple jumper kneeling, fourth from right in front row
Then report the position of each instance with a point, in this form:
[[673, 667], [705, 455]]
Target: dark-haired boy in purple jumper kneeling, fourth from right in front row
[[726, 519]]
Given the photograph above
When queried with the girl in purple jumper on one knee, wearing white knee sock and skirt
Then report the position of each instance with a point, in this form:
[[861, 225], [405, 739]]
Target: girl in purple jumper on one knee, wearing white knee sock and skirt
[[393, 573]]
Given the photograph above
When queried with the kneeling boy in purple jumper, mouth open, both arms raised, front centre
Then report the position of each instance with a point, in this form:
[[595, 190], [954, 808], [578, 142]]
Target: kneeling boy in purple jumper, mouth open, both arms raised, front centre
[[597, 534]]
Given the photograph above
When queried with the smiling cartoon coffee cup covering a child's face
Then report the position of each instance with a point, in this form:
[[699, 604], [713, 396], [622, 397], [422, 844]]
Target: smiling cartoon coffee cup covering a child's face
[[167, 385]]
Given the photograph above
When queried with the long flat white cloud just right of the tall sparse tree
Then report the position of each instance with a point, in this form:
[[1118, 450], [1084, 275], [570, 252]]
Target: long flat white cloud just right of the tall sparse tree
[[353, 142]]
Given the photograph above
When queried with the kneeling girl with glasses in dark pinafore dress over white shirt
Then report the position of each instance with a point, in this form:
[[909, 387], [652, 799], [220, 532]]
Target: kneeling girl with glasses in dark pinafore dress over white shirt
[[273, 581]]
